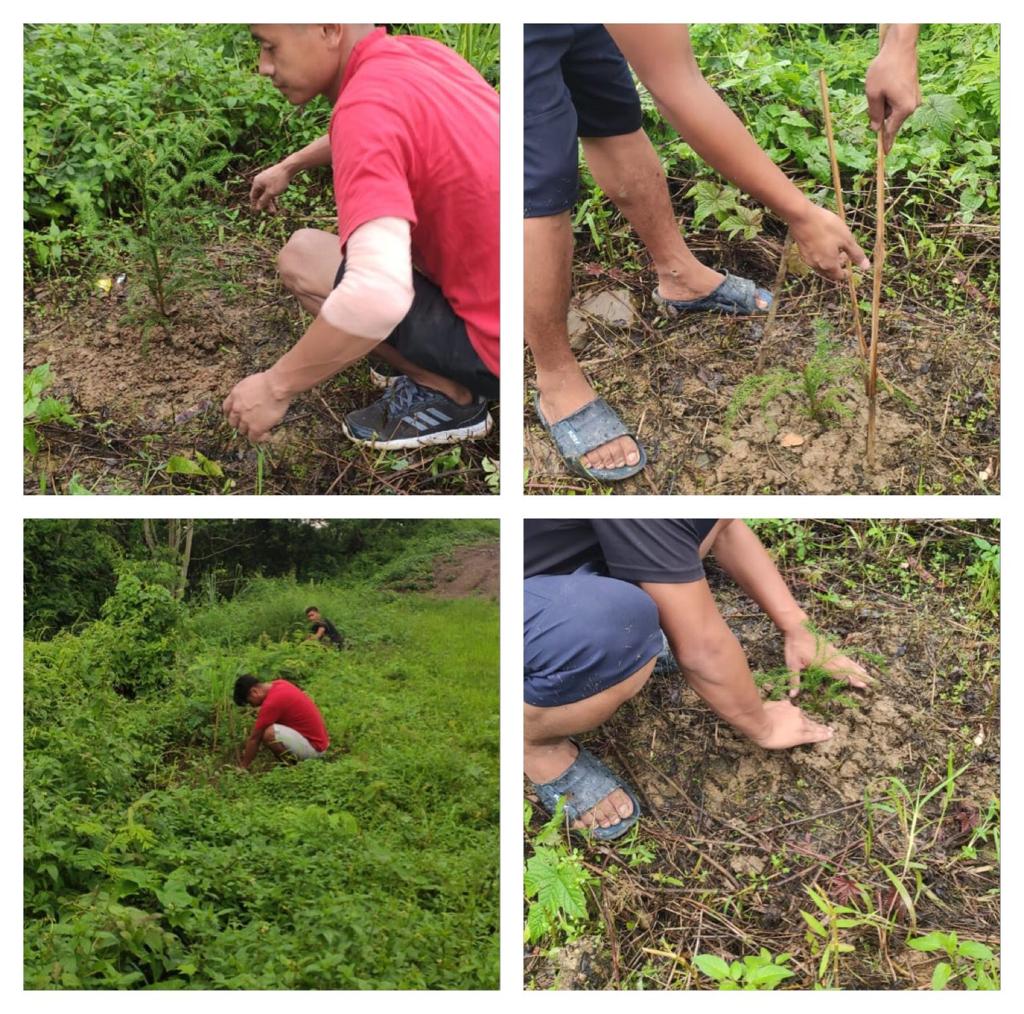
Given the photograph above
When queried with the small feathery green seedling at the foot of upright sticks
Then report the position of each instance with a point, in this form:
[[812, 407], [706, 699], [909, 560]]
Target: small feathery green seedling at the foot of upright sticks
[[822, 385]]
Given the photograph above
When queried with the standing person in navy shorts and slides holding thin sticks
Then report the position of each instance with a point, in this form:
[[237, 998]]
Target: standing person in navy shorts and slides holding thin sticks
[[579, 89]]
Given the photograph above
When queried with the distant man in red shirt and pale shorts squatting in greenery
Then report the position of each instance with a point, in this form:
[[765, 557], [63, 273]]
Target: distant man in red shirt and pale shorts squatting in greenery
[[289, 725]]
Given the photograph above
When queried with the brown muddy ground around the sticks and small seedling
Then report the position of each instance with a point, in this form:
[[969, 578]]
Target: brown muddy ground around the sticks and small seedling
[[673, 382]]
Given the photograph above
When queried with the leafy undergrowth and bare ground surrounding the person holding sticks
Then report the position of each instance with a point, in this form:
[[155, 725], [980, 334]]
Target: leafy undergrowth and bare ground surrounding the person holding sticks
[[721, 406]]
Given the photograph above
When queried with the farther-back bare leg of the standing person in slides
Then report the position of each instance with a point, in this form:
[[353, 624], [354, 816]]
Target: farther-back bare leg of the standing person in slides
[[627, 168]]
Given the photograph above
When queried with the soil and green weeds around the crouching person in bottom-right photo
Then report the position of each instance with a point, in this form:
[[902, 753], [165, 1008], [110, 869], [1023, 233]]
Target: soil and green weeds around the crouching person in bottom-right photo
[[871, 862]]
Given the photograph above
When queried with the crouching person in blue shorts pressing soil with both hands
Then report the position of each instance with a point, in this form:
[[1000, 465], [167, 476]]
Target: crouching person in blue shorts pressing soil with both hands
[[599, 596]]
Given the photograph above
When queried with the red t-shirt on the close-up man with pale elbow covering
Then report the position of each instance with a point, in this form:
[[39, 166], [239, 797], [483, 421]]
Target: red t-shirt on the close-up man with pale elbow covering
[[414, 136]]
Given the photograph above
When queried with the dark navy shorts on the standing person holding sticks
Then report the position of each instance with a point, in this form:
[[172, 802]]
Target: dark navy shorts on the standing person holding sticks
[[577, 84]]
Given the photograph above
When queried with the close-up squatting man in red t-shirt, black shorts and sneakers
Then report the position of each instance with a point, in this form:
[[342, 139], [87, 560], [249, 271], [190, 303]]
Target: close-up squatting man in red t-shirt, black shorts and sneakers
[[412, 276]]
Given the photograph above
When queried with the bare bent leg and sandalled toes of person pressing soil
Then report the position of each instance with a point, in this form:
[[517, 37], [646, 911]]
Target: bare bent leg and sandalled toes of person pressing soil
[[548, 751]]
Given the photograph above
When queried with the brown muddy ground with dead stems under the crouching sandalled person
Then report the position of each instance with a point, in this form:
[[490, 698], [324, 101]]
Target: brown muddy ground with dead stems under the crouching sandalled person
[[739, 834]]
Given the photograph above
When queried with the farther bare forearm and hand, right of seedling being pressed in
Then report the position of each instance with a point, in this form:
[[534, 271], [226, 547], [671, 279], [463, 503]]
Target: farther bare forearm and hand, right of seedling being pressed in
[[741, 554]]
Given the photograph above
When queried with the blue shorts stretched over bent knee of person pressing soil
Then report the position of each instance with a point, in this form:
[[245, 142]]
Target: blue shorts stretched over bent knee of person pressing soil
[[583, 633]]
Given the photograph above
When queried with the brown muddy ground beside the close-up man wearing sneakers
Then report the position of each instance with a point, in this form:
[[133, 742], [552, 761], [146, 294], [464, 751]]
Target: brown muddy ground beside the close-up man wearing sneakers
[[145, 395]]
